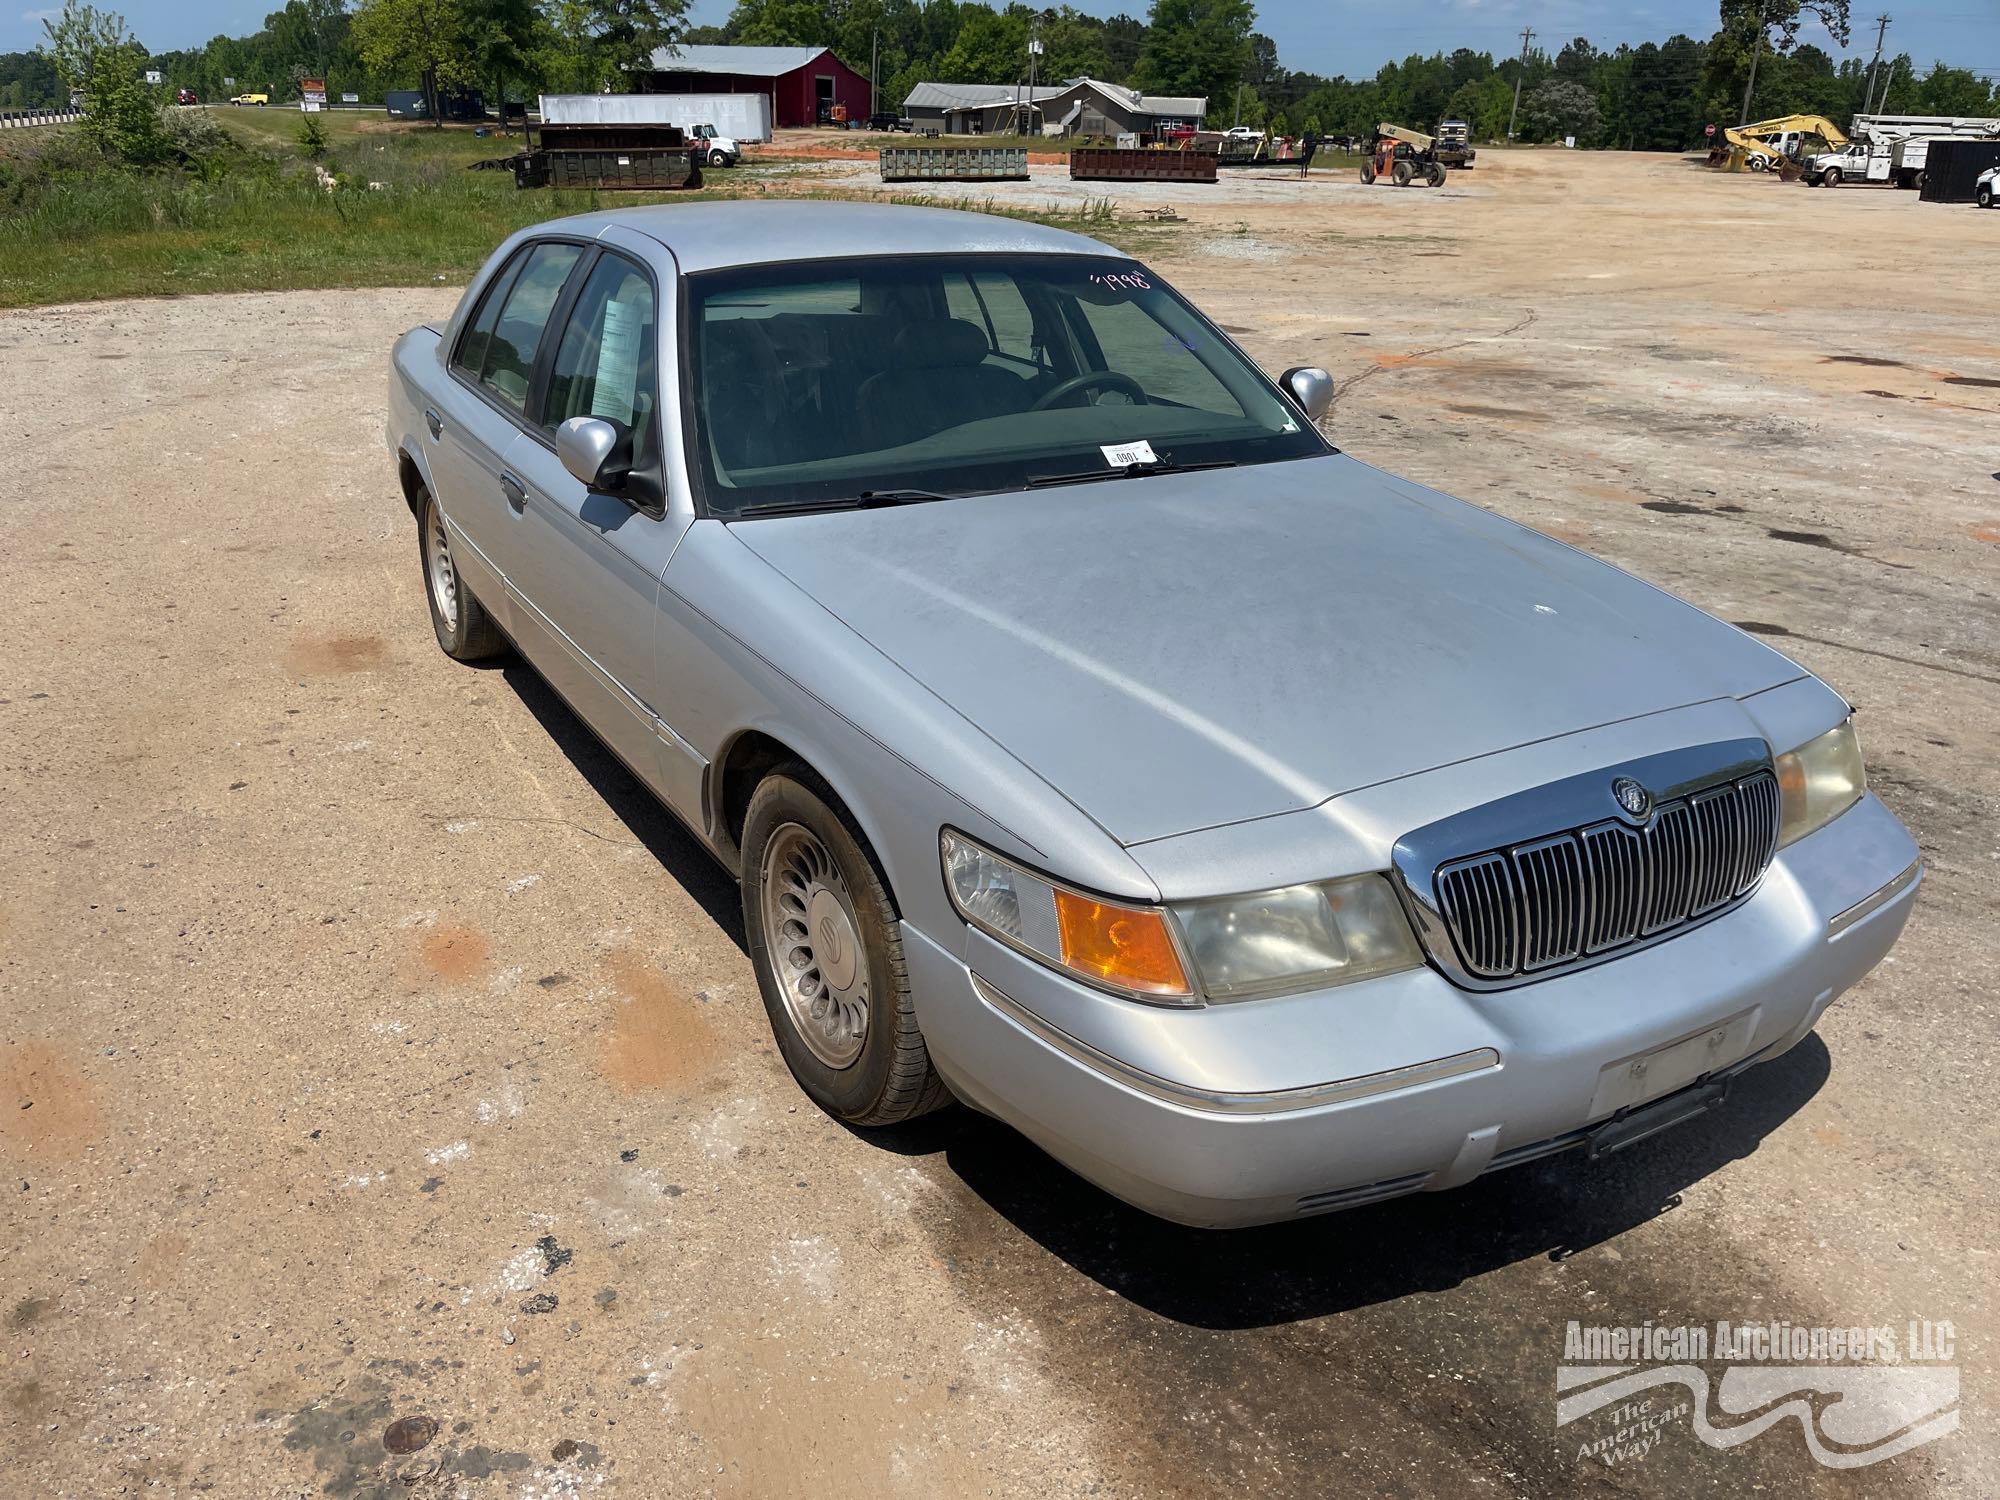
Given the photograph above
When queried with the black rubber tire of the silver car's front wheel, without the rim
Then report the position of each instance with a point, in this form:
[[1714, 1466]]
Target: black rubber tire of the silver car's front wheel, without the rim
[[891, 1079]]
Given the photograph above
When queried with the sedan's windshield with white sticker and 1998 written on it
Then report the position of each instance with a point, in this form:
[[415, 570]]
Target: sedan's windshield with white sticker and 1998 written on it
[[955, 375]]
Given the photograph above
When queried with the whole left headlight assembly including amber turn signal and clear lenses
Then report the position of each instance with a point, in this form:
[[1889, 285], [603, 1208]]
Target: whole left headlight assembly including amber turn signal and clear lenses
[[1229, 949]]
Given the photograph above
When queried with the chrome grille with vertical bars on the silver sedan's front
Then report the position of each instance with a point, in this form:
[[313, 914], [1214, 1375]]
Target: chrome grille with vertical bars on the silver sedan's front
[[1531, 909]]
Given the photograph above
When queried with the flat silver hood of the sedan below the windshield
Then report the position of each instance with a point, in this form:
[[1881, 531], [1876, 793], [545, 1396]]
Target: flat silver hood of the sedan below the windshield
[[1187, 651]]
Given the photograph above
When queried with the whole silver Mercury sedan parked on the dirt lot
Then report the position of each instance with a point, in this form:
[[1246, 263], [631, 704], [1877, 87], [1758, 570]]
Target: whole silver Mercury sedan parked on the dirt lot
[[1099, 745]]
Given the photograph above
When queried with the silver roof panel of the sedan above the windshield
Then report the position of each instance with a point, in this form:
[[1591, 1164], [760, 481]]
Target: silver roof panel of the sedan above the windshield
[[709, 237]]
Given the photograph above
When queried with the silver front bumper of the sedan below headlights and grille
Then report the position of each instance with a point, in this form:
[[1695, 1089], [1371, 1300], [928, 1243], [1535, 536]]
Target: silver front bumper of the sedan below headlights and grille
[[1273, 1109]]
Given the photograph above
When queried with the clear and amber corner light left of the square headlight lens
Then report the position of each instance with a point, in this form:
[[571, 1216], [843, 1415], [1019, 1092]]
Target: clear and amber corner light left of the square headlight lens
[[1121, 947]]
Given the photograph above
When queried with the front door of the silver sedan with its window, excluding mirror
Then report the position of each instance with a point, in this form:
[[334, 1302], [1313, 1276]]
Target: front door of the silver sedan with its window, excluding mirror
[[591, 561]]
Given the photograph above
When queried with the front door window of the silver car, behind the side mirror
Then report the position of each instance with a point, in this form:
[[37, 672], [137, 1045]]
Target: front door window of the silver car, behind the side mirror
[[607, 363]]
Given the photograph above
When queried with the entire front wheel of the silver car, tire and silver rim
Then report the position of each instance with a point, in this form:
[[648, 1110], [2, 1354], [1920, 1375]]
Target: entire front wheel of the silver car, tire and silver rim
[[823, 939]]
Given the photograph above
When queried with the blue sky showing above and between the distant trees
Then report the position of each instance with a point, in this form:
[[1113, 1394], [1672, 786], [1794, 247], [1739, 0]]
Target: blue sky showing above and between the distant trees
[[1353, 37]]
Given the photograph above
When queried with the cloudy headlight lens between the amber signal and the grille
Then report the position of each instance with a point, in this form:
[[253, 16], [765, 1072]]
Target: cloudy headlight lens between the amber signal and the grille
[[1297, 939]]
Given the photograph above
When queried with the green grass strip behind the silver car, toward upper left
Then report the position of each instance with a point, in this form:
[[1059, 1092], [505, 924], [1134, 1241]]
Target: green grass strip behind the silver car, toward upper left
[[267, 225]]
